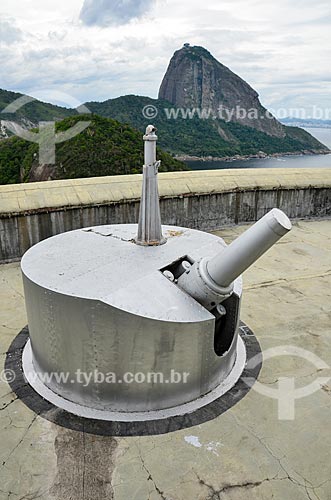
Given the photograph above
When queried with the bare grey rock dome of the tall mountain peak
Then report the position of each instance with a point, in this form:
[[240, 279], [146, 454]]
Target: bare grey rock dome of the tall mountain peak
[[195, 79]]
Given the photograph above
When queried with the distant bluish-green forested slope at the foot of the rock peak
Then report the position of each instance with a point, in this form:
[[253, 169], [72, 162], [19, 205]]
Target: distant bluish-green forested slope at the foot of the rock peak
[[200, 137]]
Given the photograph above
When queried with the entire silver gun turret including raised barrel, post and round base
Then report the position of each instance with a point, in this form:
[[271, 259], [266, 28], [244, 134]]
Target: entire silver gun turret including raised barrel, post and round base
[[141, 320]]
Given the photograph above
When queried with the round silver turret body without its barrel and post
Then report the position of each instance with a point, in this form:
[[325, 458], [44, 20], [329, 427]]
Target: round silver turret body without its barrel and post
[[97, 301]]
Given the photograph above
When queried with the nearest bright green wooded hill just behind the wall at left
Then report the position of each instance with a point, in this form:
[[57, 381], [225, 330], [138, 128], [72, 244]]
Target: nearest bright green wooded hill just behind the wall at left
[[106, 147]]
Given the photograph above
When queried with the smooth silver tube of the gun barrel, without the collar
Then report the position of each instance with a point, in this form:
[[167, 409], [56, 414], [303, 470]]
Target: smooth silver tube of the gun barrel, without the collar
[[230, 263]]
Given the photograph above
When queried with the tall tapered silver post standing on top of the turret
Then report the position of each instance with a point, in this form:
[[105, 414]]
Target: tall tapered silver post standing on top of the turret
[[149, 228]]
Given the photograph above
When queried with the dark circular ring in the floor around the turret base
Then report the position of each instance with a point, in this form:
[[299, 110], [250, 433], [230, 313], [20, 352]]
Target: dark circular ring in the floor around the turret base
[[153, 425]]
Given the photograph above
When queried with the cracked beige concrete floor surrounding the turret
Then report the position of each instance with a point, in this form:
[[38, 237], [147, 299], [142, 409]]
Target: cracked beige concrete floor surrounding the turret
[[246, 453]]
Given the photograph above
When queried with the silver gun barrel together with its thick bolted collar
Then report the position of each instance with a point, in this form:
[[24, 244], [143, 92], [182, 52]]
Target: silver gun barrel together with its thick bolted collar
[[210, 281]]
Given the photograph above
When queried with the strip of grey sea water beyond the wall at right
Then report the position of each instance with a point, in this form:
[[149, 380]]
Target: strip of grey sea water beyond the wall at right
[[297, 161]]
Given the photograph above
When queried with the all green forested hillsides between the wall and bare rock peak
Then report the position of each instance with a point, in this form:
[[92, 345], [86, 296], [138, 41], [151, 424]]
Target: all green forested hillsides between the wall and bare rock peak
[[111, 146]]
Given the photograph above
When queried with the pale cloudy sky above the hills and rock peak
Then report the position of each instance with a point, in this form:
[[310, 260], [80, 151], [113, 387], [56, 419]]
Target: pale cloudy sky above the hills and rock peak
[[98, 49]]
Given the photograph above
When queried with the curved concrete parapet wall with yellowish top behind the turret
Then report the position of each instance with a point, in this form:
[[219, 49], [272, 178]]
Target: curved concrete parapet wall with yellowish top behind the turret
[[206, 200]]
